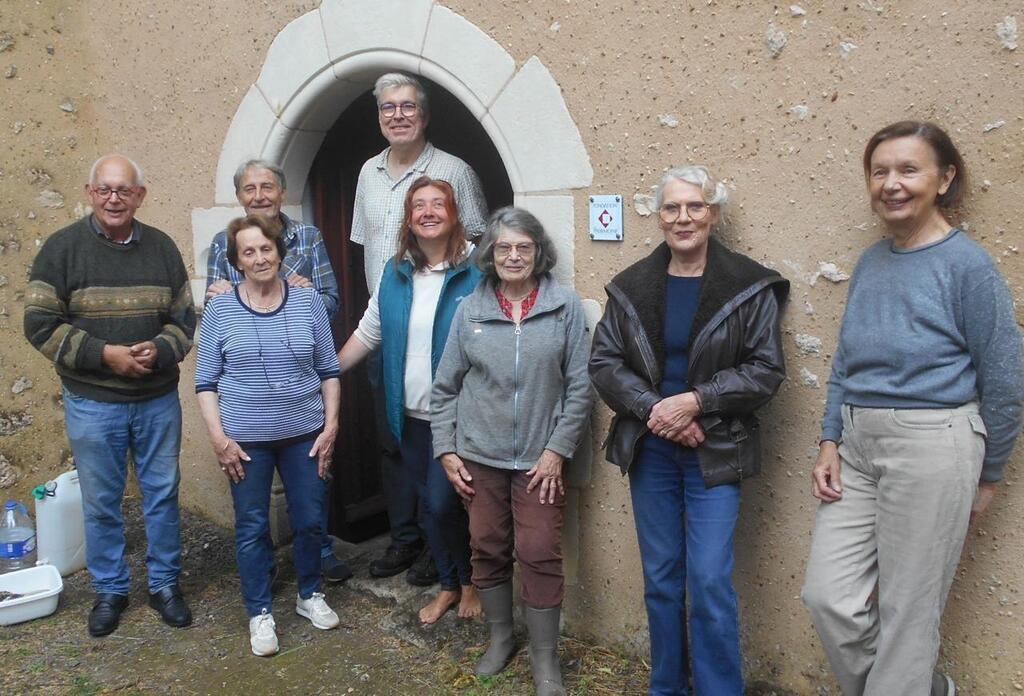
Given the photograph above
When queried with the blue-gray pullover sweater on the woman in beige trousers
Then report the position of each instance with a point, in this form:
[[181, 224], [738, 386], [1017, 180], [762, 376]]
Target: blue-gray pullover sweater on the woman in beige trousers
[[931, 328]]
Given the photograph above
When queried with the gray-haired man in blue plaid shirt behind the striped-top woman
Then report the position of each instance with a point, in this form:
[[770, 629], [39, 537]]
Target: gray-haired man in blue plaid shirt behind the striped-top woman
[[261, 188]]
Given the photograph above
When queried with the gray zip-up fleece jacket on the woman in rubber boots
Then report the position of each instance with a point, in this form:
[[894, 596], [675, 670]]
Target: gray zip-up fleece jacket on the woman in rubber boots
[[503, 396]]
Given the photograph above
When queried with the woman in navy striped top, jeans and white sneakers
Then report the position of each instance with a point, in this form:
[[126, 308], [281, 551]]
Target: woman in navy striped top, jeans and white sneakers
[[267, 378]]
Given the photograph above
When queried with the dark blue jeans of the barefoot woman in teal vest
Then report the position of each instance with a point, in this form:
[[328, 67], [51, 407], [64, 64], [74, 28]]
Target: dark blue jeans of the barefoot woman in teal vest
[[445, 520]]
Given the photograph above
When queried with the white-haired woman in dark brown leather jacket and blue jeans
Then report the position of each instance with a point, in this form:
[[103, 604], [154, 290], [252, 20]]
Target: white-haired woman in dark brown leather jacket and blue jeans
[[689, 349]]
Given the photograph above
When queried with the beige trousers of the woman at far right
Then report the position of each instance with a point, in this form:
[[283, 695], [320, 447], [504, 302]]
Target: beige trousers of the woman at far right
[[909, 477]]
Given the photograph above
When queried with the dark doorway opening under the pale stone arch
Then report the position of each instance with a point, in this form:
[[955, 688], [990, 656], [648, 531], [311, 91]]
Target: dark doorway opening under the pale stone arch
[[357, 500]]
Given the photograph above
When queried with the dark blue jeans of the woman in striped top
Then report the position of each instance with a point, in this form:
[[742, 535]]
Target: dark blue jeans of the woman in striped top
[[305, 493]]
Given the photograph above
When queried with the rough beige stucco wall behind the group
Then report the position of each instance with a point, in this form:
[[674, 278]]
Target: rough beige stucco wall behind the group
[[164, 92]]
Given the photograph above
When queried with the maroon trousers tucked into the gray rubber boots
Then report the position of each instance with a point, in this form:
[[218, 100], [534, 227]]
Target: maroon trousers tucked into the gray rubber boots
[[505, 520]]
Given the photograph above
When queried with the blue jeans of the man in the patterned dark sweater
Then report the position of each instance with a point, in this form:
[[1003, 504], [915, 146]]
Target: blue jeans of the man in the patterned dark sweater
[[101, 436]]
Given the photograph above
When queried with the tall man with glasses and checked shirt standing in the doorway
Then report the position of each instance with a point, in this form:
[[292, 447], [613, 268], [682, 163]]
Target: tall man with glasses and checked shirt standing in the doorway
[[404, 113]]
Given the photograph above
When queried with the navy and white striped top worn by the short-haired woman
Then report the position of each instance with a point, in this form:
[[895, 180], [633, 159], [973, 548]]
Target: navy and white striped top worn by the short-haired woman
[[267, 368]]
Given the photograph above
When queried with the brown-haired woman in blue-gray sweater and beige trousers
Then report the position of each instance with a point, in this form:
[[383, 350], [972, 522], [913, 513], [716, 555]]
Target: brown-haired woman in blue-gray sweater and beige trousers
[[924, 406]]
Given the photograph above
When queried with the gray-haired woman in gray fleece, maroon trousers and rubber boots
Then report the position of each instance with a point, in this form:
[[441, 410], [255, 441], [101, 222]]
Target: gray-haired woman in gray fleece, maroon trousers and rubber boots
[[510, 403]]
